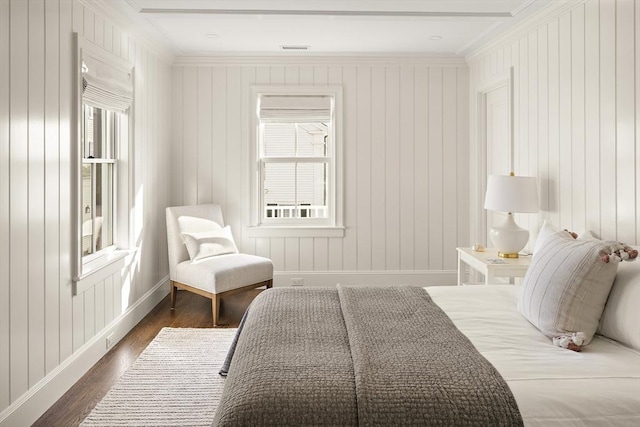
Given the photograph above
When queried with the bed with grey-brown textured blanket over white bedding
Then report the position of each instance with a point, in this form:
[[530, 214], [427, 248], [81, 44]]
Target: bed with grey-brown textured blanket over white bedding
[[293, 375]]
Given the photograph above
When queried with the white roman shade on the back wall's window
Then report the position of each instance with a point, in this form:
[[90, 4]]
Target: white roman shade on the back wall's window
[[298, 108]]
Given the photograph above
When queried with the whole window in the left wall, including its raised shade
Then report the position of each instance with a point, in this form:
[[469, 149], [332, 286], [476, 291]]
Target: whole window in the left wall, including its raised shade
[[105, 89]]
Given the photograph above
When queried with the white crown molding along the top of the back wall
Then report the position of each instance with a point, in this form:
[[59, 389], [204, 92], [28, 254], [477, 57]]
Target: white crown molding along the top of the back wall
[[326, 60]]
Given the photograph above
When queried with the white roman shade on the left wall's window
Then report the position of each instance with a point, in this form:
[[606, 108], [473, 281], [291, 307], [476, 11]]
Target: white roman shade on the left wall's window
[[106, 86]]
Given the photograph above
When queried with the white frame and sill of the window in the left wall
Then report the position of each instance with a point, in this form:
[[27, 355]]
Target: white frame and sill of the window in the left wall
[[85, 266]]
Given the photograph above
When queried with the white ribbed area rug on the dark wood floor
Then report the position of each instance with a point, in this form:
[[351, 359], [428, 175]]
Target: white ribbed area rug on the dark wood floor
[[174, 382]]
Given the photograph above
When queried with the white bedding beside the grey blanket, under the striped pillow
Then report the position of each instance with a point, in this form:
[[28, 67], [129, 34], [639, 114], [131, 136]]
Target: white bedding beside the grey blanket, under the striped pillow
[[599, 386]]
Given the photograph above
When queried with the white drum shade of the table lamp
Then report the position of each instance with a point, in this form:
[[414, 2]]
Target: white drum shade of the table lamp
[[511, 194]]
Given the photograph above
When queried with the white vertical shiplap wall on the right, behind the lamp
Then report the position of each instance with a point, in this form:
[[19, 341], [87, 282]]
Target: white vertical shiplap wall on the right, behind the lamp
[[577, 81]]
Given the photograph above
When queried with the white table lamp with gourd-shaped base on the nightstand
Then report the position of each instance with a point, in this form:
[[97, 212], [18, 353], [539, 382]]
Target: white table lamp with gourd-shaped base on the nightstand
[[510, 194]]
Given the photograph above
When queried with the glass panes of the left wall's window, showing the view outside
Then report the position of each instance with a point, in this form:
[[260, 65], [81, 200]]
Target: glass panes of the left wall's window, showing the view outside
[[99, 130]]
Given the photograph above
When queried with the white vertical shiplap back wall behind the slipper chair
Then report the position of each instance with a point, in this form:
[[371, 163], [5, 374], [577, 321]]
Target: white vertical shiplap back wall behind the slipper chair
[[405, 159]]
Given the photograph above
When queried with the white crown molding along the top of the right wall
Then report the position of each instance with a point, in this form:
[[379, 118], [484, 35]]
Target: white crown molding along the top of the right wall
[[539, 18]]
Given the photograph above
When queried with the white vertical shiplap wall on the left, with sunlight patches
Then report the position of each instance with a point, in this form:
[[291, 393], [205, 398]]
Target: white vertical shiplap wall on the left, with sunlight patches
[[41, 323]]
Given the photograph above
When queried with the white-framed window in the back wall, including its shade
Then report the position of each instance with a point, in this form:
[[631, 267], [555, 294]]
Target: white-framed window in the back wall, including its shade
[[296, 145]]
